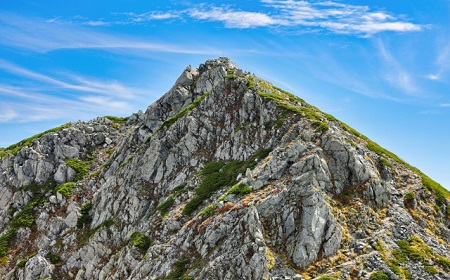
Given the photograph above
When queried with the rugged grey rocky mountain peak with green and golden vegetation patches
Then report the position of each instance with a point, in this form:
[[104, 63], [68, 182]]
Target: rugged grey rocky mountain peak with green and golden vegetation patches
[[226, 176]]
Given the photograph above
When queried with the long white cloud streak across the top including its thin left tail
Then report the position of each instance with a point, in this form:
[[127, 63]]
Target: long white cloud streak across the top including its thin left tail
[[300, 16]]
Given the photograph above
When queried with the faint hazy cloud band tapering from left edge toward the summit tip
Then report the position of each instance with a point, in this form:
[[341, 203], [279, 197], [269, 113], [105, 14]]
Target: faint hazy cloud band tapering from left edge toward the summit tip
[[47, 35]]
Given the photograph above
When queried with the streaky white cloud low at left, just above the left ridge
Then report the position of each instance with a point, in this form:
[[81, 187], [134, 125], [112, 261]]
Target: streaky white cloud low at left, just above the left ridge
[[39, 97]]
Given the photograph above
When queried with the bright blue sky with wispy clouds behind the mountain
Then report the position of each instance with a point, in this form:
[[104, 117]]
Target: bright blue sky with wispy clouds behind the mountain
[[383, 67]]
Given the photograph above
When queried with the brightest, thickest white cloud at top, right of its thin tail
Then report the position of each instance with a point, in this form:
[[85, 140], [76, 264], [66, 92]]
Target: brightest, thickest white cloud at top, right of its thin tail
[[325, 15]]
